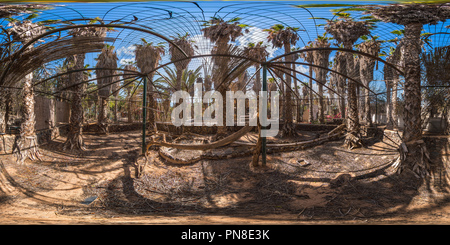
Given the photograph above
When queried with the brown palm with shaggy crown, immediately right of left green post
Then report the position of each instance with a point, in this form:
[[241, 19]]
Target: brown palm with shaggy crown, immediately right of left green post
[[147, 59]]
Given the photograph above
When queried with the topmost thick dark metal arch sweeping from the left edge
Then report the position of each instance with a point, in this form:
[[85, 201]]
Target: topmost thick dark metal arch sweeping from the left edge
[[35, 39]]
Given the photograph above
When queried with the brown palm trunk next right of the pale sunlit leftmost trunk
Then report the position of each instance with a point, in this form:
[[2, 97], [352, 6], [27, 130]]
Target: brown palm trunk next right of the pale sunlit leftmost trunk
[[74, 136]]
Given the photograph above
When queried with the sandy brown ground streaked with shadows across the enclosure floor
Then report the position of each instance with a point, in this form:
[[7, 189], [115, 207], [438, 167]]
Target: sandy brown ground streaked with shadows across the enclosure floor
[[326, 184]]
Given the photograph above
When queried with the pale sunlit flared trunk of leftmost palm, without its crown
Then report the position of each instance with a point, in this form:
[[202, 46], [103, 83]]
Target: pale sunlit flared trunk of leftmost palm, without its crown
[[26, 143]]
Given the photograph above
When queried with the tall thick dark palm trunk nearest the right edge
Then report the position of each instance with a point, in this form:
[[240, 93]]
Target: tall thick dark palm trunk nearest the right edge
[[413, 152]]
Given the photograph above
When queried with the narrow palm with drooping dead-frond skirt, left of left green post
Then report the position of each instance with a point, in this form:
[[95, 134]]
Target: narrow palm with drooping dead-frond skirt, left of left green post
[[107, 62]]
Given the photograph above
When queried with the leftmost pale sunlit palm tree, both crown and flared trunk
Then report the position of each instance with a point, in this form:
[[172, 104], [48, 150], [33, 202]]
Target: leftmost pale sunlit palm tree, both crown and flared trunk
[[26, 143]]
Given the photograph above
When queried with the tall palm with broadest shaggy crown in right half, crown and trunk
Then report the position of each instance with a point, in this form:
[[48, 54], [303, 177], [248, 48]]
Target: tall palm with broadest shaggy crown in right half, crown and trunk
[[347, 31]]
